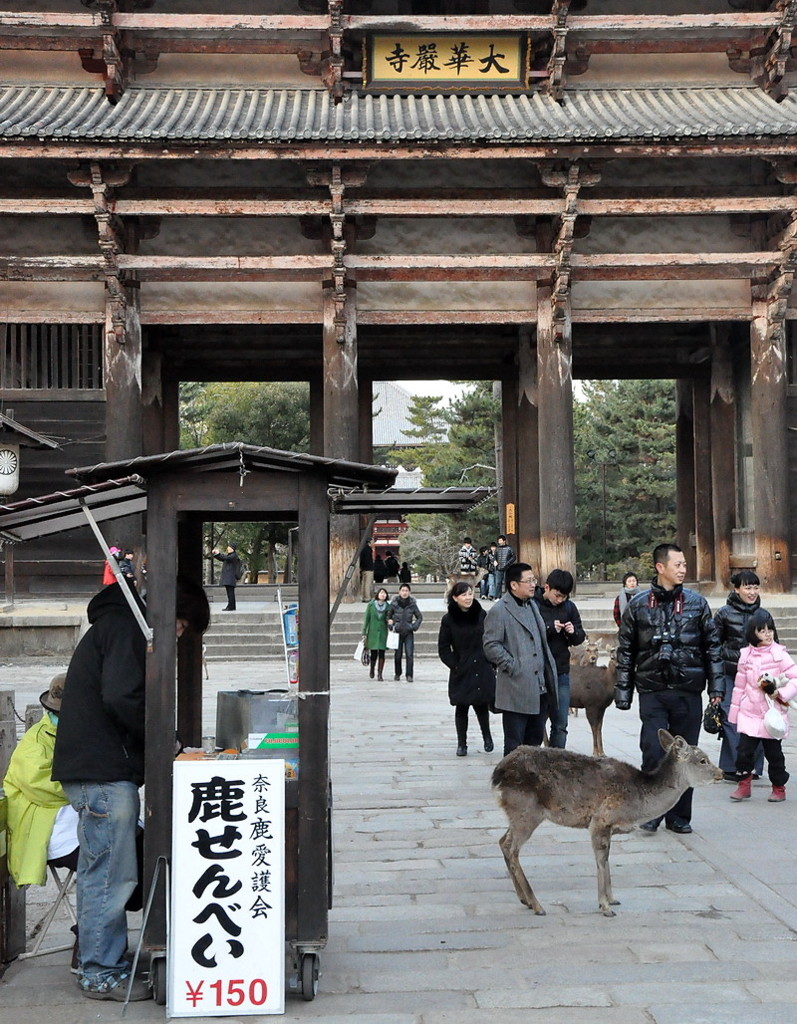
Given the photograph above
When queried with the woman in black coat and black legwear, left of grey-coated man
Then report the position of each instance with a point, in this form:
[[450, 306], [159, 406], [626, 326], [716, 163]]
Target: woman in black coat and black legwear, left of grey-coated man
[[472, 677]]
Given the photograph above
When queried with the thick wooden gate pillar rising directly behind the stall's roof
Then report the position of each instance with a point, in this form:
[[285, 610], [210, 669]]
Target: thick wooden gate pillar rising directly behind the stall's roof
[[342, 415]]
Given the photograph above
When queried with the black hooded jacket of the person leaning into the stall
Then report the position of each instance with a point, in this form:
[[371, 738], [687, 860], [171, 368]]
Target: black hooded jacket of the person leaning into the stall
[[101, 737]]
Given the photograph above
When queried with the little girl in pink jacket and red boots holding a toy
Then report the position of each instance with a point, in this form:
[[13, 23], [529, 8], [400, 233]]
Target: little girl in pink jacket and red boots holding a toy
[[764, 658]]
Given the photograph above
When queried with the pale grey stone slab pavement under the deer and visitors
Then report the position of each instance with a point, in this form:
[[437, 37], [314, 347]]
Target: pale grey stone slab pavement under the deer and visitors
[[426, 927]]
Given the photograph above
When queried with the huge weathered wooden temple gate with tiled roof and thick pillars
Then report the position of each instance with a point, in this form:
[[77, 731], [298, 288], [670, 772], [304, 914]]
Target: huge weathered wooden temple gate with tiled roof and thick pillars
[[293, 218]]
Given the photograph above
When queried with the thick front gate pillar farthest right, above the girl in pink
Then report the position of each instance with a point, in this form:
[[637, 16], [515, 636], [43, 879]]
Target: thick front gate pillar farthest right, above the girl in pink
[[771, 453]]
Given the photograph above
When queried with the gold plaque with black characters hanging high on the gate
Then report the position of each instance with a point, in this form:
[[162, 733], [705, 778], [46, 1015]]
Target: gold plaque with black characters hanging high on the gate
[[447, 61]]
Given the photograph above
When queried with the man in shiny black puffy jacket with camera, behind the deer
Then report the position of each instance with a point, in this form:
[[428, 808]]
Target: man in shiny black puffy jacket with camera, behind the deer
[[669, 651]]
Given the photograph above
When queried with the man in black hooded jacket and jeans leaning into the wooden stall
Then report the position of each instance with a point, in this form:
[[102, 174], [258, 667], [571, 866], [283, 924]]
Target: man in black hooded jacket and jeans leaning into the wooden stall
[[100, 761]]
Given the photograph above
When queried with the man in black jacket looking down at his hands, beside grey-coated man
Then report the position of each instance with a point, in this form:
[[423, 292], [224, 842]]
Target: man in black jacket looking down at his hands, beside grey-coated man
[[563, 631]]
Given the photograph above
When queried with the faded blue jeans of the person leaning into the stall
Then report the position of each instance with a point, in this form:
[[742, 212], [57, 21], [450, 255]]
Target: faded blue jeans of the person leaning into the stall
[[107, 875]]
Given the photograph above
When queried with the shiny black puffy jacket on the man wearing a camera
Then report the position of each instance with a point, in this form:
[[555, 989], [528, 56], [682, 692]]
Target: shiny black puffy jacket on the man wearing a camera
[[668, 642]]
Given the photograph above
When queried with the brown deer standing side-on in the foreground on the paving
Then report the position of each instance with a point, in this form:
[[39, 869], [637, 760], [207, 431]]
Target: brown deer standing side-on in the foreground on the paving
[[539, 784]]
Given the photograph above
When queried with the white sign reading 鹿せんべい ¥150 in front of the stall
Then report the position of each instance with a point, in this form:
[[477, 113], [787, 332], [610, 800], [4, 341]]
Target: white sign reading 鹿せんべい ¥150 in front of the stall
[[227, 942]]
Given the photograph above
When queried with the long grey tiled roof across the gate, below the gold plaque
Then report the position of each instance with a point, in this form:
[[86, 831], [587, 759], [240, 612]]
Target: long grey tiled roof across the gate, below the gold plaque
[[195, 114]]
